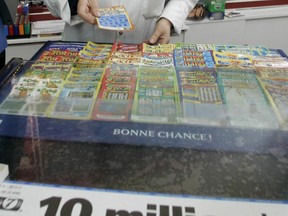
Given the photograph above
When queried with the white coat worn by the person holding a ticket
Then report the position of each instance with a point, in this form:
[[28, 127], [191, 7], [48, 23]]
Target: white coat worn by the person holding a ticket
[[144, 15]]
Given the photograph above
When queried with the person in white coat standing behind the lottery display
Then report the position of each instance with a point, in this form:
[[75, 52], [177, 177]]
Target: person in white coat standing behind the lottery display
[[153, 19]]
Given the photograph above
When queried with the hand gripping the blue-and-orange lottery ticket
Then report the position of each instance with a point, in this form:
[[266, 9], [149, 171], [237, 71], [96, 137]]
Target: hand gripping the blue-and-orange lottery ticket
[[88, 10]]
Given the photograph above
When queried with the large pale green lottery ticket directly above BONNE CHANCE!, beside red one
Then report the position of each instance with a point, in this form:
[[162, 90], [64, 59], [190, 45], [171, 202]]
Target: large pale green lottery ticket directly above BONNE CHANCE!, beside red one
[[156, 98]]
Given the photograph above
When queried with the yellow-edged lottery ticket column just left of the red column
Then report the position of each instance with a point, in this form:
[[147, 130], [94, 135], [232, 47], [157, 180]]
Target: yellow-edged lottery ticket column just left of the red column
[[79, 92]]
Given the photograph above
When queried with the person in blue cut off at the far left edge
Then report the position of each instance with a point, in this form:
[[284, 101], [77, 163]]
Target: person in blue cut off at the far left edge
[[5, 18]]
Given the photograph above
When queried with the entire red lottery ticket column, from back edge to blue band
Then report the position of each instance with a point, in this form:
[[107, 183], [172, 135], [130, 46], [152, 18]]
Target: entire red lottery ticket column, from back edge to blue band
[[116, 95]]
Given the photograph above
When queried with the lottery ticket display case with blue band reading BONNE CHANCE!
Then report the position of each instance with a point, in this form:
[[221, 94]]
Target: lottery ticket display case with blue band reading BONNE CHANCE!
[[181, 120]]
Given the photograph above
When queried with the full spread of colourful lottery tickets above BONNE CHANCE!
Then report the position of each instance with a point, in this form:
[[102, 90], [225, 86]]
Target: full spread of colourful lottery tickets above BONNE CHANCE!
[[221, 85]]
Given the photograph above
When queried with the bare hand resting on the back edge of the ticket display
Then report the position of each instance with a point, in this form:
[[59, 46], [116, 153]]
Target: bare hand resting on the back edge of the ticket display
[[162, 32]]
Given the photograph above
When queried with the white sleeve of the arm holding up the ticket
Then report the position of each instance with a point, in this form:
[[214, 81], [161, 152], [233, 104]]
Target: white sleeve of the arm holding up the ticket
[[61, 8]]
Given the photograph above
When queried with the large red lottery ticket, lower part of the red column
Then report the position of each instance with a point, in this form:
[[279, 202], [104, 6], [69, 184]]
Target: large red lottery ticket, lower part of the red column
[[115, 98]]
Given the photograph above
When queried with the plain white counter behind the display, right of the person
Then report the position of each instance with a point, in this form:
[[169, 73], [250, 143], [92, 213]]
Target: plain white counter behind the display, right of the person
[[266, 27]]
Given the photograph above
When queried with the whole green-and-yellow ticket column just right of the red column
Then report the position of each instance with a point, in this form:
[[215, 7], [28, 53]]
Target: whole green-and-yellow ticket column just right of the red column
[[157, 97]]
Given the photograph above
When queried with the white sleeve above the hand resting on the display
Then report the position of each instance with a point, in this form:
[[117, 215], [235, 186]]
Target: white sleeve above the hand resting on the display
[[176, 11]]
